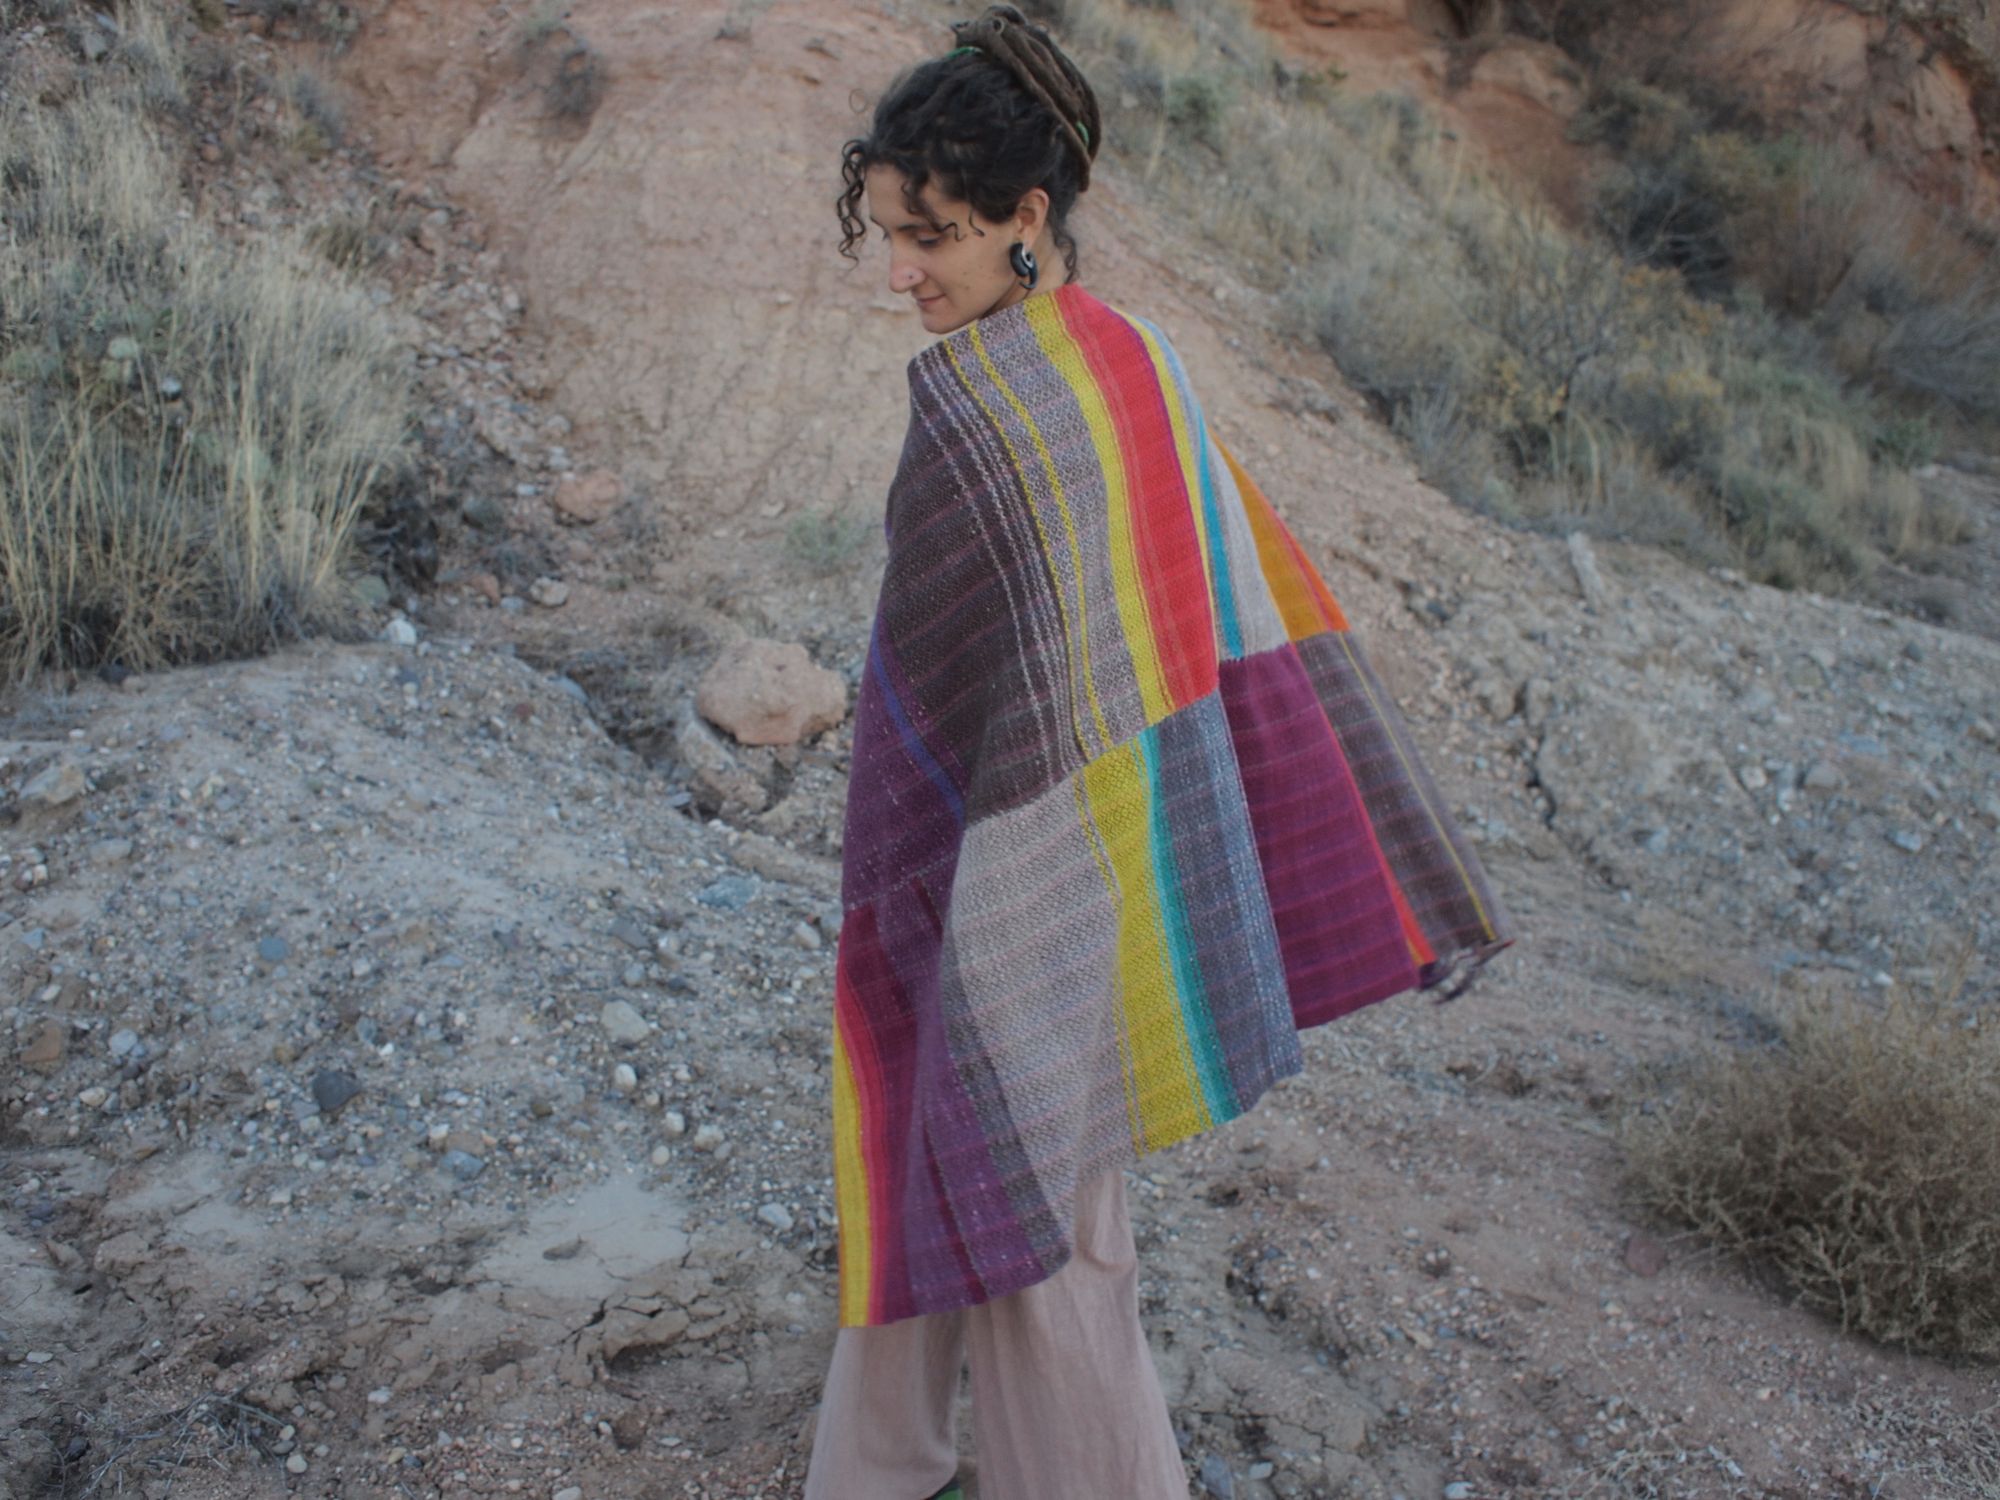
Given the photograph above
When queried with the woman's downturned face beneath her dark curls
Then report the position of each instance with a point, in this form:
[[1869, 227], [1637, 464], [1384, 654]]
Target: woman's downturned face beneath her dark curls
[[951, 261]]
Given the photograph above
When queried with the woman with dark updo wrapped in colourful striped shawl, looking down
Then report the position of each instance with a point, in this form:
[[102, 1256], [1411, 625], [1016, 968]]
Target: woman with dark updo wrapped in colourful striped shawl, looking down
[[1127, 813]]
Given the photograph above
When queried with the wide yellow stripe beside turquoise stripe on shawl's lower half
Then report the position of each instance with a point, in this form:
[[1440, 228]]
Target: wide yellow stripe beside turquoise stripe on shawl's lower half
[[1161, 1087]]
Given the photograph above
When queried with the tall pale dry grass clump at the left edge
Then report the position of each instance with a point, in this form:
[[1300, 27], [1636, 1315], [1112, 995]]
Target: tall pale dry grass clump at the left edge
[[189, 427]]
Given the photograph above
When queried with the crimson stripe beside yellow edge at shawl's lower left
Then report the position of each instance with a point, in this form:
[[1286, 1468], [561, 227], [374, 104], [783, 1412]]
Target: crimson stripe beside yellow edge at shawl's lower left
[[873, 1007]]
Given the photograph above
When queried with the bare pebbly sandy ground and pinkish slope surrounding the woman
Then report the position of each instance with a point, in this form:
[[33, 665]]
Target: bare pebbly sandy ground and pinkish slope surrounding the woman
[[417, 1055]]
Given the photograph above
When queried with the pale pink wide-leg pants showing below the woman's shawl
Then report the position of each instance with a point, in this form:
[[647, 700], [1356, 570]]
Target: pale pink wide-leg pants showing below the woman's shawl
[[1067, 1403]]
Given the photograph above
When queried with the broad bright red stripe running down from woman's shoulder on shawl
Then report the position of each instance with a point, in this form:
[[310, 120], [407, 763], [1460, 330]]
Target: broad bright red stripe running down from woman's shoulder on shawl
[[1171, 571]]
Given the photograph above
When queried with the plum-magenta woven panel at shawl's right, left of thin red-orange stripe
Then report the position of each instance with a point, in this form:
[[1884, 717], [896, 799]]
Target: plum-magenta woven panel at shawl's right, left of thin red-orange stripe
[[1337, 919]]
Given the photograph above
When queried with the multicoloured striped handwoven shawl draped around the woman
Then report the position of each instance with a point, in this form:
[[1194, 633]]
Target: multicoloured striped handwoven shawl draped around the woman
[[1127, 811]]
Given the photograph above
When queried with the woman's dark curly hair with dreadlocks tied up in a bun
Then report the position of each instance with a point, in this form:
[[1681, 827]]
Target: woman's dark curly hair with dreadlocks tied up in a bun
[[1003, 113]]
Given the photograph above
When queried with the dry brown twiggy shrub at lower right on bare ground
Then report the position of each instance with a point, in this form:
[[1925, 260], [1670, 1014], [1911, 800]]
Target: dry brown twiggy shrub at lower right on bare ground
[[1857, 1157]]
